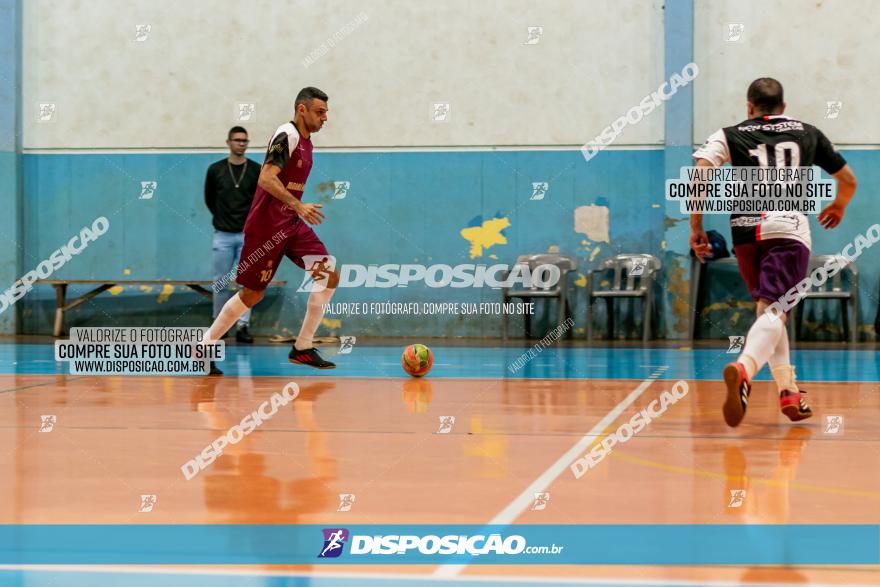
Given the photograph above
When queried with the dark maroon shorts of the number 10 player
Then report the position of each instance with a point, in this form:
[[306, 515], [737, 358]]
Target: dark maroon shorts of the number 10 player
[[772, 267]]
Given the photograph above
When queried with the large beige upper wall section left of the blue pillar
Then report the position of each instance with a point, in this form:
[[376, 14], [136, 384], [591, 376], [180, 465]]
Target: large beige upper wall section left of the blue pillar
[[384, 64]]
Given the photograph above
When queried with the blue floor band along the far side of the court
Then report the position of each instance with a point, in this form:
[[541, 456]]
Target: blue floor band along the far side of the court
[[486, 362]]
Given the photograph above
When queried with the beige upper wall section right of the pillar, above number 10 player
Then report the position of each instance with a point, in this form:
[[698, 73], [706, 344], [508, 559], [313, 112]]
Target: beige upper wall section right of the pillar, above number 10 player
[[821, 51]]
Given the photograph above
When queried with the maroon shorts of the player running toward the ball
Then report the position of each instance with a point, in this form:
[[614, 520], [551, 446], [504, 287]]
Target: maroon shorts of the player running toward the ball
[[261, 255]]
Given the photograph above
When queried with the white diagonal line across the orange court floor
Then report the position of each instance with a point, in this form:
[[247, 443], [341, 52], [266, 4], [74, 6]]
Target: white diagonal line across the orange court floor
[[516, 507]]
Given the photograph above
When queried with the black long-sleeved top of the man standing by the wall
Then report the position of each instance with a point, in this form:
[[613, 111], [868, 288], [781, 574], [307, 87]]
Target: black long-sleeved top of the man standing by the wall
[[229, 204]]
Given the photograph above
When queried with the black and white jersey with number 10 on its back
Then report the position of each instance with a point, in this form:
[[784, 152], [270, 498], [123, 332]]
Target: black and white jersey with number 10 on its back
[[771, 141]]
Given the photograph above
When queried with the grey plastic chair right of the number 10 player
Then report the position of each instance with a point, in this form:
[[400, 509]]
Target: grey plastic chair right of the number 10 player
[[832, 290]]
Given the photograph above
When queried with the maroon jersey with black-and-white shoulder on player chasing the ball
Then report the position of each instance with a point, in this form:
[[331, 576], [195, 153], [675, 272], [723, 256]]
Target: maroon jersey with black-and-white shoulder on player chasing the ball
[[293, 154]]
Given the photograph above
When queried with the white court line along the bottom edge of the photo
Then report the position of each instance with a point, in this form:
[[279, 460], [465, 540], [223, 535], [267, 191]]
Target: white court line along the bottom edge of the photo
[[398, 576]]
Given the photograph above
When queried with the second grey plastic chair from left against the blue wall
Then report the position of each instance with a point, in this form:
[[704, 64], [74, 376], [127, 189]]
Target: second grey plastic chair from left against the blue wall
[[634, 276]]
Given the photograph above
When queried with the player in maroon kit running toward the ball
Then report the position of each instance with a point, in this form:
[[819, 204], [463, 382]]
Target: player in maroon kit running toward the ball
[[277, 209]]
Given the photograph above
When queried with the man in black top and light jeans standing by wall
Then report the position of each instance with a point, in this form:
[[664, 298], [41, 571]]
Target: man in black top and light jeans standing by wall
[[229, 189]]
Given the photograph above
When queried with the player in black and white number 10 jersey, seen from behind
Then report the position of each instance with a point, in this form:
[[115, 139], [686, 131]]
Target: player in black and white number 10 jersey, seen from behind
[[772, 248]]
